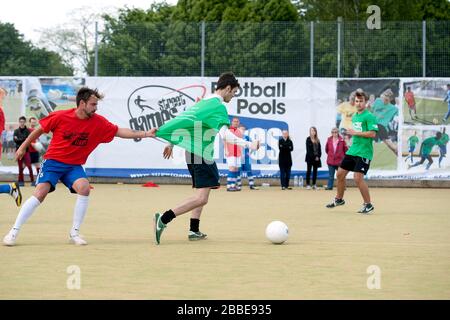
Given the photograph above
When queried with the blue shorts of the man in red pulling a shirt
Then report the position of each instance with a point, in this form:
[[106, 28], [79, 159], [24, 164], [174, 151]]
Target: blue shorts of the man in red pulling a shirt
[[53, 171]]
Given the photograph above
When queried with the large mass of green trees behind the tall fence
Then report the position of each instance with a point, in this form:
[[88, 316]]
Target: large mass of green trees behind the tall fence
[[272, 38]]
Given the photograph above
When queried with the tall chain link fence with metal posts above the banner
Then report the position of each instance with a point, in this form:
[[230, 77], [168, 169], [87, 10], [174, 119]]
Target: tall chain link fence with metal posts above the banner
[[274, 49]]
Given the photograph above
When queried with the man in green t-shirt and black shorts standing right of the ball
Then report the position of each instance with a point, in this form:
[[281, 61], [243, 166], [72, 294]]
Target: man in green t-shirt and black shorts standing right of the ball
[[358, 157]]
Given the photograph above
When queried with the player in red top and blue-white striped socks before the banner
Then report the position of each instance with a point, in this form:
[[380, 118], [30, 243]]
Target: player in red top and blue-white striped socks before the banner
[[233, 155]]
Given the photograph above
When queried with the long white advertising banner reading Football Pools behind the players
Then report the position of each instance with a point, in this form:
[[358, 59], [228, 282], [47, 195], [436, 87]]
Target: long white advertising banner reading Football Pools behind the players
[[264, 105]]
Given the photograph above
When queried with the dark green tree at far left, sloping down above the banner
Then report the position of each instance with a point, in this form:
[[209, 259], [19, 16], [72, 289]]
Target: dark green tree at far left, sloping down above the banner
[[19, 57]]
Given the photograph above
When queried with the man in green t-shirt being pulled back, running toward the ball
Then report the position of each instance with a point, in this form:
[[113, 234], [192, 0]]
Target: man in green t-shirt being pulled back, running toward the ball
[[195, 130]]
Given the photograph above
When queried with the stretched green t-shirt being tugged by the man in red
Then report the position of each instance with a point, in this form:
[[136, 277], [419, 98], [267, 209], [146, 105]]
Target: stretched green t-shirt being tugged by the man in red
[[195, 129]]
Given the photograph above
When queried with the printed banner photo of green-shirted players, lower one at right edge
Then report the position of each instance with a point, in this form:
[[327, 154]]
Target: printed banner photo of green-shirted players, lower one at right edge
[[424, 149]]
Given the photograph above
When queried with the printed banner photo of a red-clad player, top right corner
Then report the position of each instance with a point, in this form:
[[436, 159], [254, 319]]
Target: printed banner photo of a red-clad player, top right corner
[[426, 102]]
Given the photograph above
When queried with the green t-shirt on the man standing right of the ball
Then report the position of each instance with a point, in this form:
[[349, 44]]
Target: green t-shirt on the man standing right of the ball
[[361, 146]]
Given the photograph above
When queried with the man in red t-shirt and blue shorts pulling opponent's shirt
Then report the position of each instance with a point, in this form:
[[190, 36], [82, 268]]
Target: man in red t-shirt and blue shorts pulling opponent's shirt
[[76, 133]]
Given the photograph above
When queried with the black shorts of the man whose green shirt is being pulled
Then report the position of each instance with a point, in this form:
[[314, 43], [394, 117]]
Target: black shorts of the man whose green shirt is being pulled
[[204, 174]]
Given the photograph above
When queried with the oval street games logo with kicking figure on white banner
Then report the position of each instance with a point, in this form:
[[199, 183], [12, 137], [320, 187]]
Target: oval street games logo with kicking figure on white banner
[[153, 105]]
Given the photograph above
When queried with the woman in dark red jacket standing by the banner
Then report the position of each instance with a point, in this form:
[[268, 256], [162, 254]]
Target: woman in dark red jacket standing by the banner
[[335, 149]]
